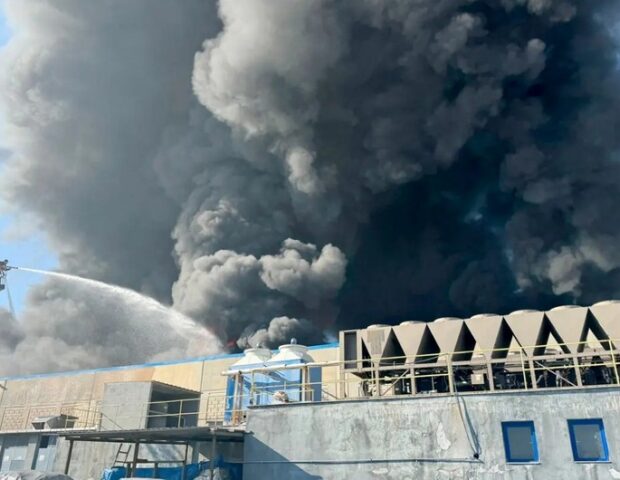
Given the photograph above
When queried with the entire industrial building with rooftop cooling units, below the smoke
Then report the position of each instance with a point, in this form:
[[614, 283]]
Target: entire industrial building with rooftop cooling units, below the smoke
[[527, 395]]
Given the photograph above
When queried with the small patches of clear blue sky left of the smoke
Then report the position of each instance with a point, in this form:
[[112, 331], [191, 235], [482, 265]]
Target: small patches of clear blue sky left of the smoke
[[25, 248]]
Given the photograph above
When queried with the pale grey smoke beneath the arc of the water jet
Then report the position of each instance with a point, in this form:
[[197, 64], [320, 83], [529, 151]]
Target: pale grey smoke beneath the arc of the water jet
[[68, 326]]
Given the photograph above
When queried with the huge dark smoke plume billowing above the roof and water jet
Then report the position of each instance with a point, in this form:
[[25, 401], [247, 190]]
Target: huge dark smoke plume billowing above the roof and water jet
[[321, 164]]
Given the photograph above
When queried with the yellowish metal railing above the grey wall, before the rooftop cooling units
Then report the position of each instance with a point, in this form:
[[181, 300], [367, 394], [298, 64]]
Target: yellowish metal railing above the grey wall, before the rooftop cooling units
[[460, 372]]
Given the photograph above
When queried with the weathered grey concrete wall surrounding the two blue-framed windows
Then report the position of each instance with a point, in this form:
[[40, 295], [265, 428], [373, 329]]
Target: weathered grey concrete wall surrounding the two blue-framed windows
[[426, 438]]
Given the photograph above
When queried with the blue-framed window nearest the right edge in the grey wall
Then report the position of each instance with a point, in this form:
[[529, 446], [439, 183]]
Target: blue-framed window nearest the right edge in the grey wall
[[588, 440]]
